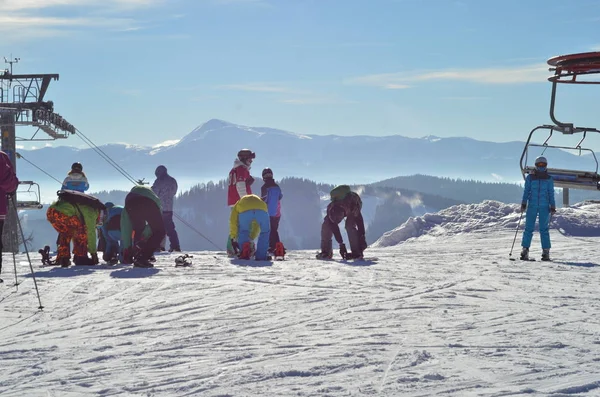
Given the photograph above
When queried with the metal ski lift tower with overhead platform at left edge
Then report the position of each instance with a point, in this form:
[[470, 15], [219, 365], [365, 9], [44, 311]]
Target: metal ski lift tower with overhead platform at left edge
[[22, 104]]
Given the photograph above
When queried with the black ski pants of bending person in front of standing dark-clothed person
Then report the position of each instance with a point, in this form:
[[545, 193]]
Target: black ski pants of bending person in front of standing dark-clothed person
[[142, 211]]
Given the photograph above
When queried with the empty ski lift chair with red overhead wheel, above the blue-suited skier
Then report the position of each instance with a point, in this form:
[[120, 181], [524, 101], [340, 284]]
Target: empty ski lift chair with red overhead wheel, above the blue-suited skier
[[566, 69]]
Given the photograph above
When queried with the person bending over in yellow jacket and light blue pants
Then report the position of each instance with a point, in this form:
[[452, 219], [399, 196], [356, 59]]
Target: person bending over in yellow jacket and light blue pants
[[250, 210]]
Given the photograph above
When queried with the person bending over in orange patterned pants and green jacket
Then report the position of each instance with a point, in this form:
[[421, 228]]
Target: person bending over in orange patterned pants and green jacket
[[75, 216]]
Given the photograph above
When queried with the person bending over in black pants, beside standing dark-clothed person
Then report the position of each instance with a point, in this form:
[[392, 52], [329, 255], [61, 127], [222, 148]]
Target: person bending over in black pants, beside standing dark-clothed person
[[142, 209]]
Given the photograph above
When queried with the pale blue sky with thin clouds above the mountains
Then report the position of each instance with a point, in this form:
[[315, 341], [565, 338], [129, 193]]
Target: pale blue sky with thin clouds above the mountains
[[146, 71]]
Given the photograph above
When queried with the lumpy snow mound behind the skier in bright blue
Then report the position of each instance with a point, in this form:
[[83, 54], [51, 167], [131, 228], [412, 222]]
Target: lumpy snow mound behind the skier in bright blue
[[582, 219]]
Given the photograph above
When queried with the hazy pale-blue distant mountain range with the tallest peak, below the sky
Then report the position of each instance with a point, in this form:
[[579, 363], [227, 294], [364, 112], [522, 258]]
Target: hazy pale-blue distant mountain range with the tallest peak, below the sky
[[207, 153]]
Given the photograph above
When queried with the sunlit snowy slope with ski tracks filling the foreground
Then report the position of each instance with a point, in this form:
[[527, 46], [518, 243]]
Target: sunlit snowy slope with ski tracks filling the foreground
[[449, 316]]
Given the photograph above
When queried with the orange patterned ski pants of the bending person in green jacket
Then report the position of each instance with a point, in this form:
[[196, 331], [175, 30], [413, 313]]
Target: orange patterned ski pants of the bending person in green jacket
[[68, 227]]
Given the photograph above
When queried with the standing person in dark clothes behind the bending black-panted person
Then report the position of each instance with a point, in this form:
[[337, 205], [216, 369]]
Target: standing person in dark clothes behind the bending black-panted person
[[165, 187]]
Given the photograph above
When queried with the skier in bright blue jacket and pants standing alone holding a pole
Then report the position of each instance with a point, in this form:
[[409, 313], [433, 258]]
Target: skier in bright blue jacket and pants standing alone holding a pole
[[538, 199]]
